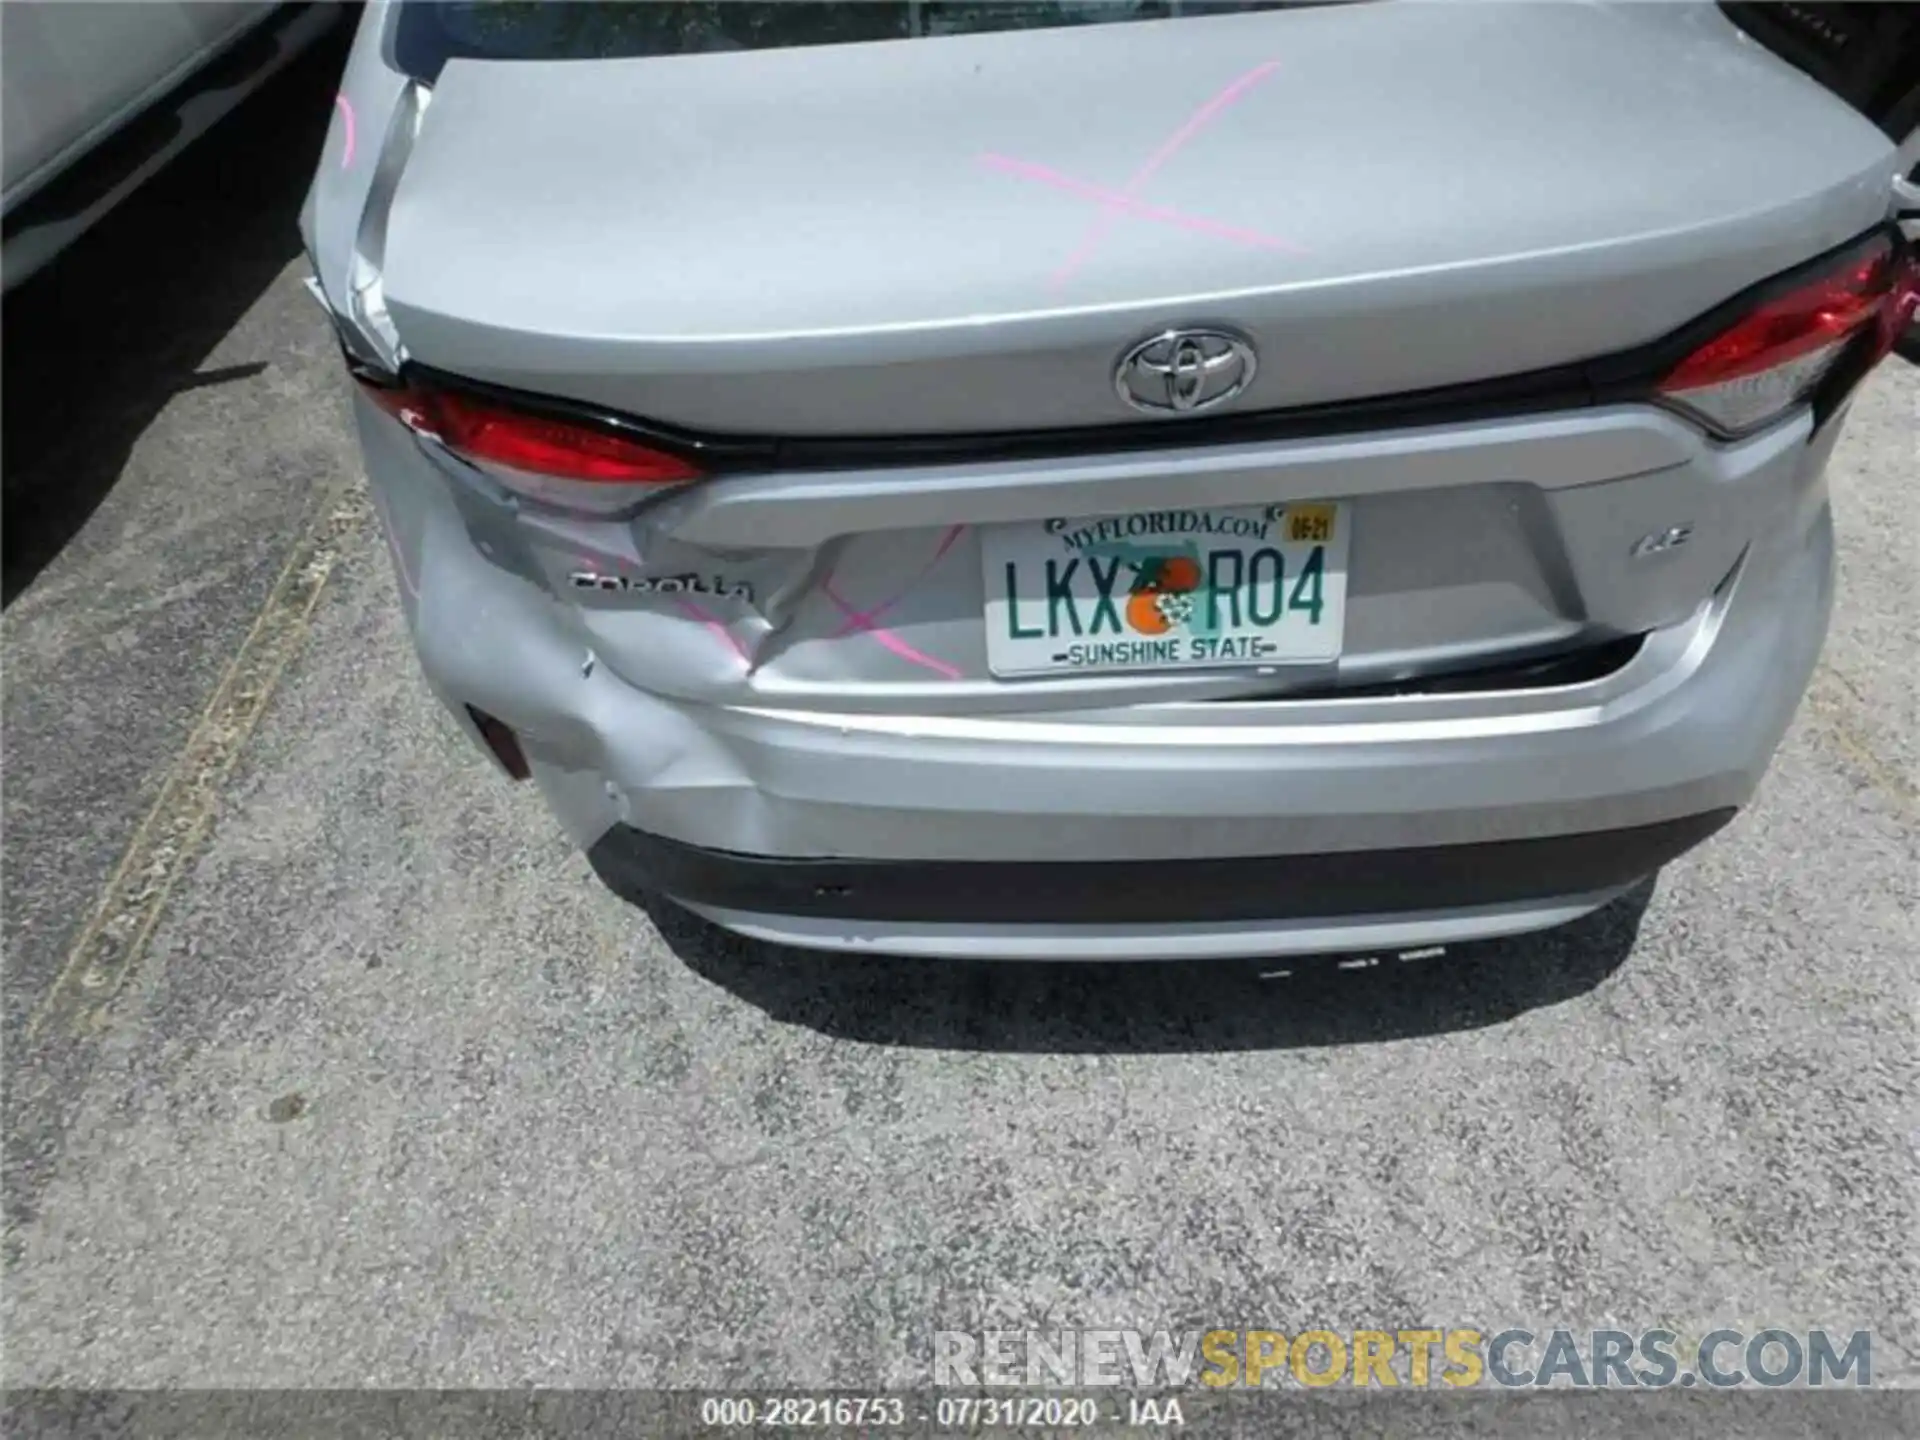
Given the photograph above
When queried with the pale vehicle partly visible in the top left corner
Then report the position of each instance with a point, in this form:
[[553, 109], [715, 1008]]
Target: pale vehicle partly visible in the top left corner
[[99, 97]]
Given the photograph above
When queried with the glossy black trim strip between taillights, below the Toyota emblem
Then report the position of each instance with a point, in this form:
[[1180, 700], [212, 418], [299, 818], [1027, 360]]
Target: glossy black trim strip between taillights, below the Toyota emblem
[[1606, 381]]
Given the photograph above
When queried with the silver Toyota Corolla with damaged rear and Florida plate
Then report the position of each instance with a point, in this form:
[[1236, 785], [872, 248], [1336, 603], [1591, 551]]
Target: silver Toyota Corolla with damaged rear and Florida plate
[[1051, 481]]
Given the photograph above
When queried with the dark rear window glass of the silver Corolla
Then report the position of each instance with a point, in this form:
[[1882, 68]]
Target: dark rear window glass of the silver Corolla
[[429, 34]]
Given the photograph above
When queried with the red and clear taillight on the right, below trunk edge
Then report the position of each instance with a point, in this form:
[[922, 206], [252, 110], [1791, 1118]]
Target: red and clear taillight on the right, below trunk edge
[[1779, 352]]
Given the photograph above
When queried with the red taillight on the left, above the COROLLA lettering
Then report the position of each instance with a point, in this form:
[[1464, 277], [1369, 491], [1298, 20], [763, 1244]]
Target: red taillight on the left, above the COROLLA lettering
[[542, 446]]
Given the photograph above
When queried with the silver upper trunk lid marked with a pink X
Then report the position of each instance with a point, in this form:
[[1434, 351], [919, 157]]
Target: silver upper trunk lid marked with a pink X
[[961, 235]]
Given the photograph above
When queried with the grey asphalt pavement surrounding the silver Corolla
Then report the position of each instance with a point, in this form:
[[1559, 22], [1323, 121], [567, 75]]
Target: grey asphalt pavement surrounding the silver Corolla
[[331, 1065]]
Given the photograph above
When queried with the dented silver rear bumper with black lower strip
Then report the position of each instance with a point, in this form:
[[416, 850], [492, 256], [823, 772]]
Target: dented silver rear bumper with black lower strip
[[1236, 827]]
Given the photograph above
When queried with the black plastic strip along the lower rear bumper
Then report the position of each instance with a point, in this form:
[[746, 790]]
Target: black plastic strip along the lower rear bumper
[[1147, 892]]
